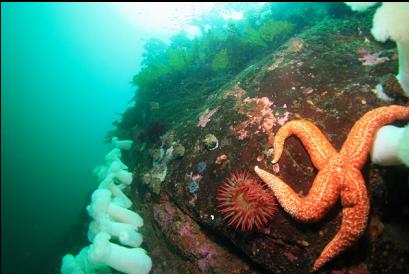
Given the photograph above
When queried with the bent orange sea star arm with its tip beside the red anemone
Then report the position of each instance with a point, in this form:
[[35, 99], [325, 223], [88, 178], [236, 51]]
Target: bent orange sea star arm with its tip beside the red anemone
[[321, 197]]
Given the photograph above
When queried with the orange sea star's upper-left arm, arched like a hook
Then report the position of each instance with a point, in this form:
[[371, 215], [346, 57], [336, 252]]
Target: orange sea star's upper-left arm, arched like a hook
[[314, 140]]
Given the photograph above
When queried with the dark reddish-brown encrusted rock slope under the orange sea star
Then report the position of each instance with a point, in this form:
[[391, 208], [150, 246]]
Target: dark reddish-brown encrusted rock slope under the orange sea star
[[190, 138]]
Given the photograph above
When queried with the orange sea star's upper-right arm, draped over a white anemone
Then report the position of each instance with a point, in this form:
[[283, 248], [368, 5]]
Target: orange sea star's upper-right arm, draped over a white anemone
[[360, 139]]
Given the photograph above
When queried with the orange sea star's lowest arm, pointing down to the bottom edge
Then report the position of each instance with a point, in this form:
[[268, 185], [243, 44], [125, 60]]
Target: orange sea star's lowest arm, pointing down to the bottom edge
[[355, 202]]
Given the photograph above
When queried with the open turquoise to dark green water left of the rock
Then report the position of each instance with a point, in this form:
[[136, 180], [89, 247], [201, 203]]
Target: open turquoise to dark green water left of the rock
[[65, 71]]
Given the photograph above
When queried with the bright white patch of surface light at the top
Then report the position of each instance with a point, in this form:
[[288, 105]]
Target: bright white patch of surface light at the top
[[163, 17]]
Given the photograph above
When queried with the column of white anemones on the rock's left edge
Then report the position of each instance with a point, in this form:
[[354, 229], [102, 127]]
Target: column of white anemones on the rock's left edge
[[112, 219]]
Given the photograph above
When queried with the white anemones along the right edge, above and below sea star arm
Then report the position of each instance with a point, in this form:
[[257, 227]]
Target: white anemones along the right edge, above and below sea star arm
[[391, 21]]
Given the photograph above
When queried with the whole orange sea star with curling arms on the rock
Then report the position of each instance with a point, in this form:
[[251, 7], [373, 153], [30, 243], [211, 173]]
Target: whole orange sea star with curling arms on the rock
[[338, 175]]
